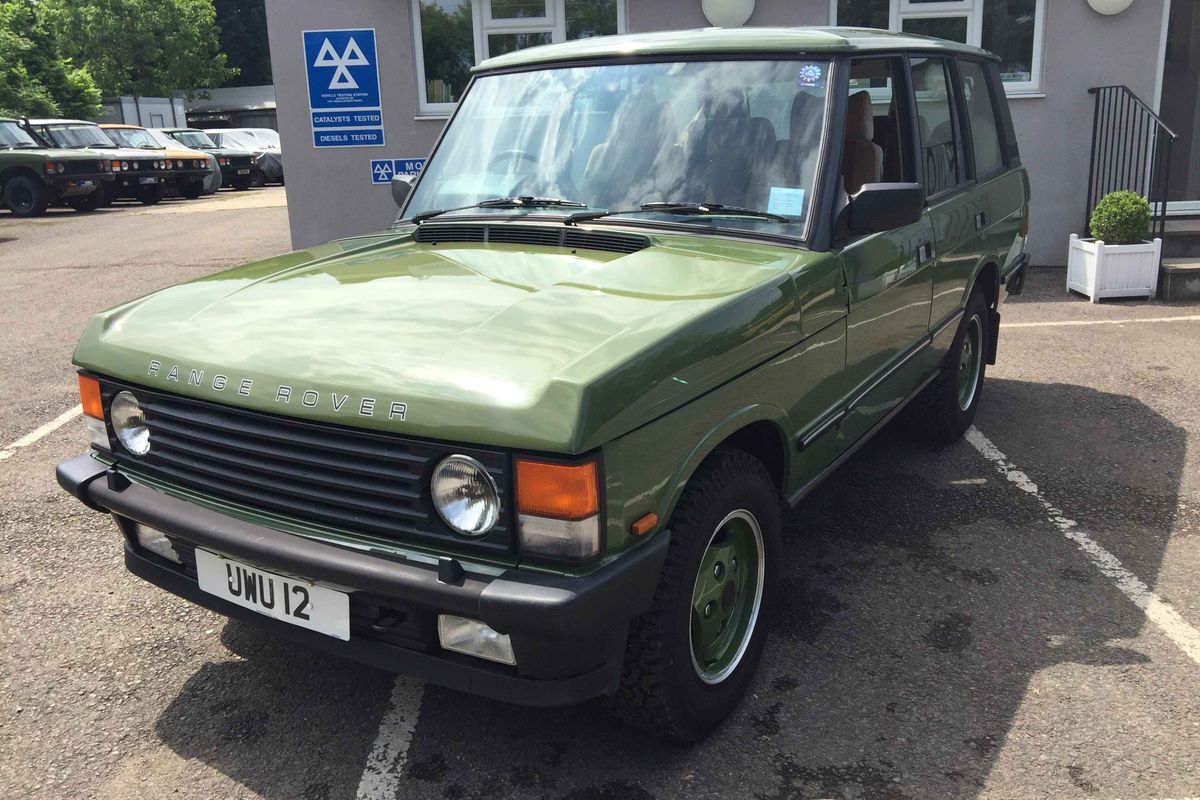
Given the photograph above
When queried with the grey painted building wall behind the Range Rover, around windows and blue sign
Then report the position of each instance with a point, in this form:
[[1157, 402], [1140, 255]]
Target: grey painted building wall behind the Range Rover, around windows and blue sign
[[331, 193]]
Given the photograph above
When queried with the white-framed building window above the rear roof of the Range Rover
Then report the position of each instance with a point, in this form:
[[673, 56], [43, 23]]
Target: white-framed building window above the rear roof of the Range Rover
[[1012, 29]]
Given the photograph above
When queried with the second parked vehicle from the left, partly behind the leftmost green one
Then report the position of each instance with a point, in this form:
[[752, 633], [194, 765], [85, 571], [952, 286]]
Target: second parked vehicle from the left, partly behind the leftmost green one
[[137, 175]]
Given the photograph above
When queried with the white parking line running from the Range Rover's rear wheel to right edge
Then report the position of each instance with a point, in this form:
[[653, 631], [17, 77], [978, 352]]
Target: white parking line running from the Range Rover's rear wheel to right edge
[[1157, 610]]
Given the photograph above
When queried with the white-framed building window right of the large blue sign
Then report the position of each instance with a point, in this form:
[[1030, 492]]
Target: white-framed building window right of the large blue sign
[[452, 37]]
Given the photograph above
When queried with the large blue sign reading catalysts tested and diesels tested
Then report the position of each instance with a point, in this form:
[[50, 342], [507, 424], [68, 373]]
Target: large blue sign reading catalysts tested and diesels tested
[[344, 88]]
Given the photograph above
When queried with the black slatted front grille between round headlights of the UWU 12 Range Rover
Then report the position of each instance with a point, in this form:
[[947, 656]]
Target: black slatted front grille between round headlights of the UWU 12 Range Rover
[[347, 479]]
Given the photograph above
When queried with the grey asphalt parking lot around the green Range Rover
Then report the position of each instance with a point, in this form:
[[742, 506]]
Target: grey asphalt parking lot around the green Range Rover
[[1012, 617]]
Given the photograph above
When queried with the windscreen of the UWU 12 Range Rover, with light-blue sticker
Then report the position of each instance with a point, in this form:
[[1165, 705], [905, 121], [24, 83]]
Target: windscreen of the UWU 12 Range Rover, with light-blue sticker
[[742, 134]]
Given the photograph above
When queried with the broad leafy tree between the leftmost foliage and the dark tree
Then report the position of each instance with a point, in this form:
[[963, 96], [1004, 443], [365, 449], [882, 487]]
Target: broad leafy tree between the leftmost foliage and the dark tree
[[143, 47]]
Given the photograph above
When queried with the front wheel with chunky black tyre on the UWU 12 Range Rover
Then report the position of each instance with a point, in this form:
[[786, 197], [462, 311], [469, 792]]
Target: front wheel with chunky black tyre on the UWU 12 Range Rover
[[692, 658]]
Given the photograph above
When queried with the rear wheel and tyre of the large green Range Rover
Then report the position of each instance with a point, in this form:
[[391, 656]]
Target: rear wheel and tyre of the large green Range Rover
[[949, 406]]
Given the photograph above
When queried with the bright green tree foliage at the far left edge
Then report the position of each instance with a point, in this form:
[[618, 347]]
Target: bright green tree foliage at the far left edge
[[37, 80]]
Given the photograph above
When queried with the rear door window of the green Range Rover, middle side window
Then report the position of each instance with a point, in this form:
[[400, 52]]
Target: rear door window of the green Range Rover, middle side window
[[940, 141]]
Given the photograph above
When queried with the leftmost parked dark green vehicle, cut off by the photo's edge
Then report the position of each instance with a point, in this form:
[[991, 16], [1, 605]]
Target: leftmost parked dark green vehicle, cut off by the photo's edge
[[34, 178]]
